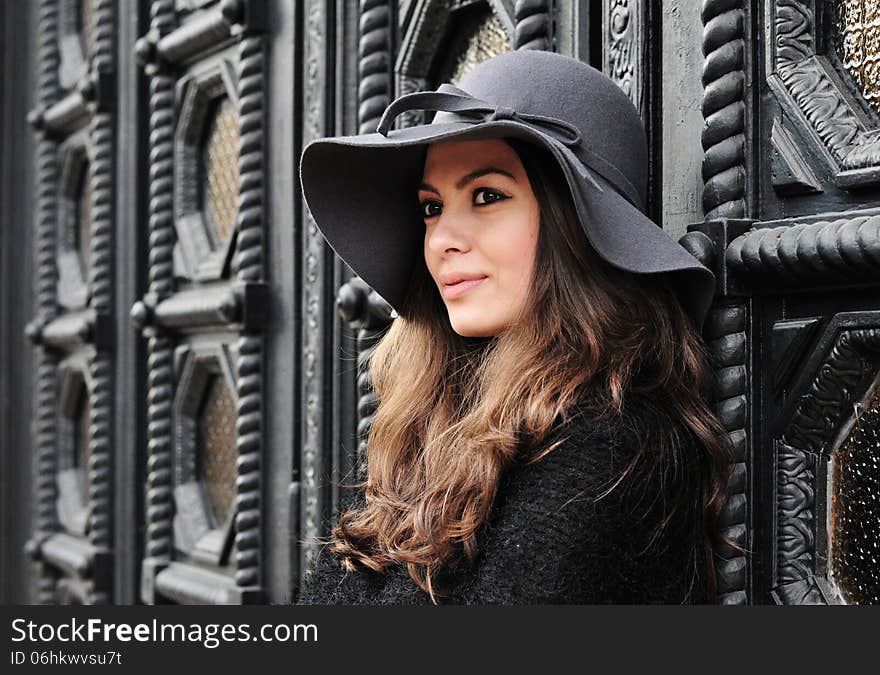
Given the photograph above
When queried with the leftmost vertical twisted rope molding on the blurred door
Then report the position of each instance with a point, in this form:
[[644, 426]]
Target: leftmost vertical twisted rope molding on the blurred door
[[46, 375]]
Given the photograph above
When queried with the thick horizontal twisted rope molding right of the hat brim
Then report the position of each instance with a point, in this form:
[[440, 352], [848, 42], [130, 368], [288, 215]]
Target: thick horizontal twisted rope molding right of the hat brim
[[846, 249]]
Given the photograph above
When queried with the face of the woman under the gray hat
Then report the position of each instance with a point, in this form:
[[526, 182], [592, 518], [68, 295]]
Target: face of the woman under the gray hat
[[481, 231]]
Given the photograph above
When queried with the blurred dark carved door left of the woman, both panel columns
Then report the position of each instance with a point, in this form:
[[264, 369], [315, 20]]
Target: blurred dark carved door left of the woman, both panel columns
[[160, 372]]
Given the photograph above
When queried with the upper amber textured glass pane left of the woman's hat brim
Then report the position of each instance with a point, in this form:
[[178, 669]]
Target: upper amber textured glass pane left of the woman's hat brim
[[220, 162]]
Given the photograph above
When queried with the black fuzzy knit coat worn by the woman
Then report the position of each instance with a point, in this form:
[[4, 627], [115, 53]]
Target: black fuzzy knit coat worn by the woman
[[548, 542]]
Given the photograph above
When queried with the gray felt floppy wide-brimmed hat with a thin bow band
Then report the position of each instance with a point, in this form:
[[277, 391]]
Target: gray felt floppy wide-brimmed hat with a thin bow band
[[362, 190]]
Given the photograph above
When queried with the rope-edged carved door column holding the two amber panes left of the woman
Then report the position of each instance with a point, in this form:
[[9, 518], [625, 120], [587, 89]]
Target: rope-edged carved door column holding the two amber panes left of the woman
[[204, 310]]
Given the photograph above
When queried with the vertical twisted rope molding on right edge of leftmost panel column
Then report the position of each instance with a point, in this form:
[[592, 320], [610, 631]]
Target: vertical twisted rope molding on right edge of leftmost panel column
[[101, 284]]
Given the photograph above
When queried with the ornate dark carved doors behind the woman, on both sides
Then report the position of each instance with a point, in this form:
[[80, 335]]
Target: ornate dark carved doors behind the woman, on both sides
[[198, 395]]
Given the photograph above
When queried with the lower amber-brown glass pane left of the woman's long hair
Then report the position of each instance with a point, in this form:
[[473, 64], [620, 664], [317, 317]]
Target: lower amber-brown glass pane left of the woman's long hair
[[217, 447]]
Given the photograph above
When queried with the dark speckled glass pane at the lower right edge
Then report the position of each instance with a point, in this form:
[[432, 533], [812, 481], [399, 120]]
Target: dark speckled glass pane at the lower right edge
[[855, 510]]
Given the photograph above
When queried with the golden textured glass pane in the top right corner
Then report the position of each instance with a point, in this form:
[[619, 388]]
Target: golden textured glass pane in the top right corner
[[856, 37]]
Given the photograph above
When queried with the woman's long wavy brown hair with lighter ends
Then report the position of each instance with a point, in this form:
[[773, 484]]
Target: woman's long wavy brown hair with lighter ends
[[454, 412]]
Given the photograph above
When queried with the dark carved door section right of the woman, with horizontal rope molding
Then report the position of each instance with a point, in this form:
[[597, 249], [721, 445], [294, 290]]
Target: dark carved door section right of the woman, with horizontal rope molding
[[792, 195]]
